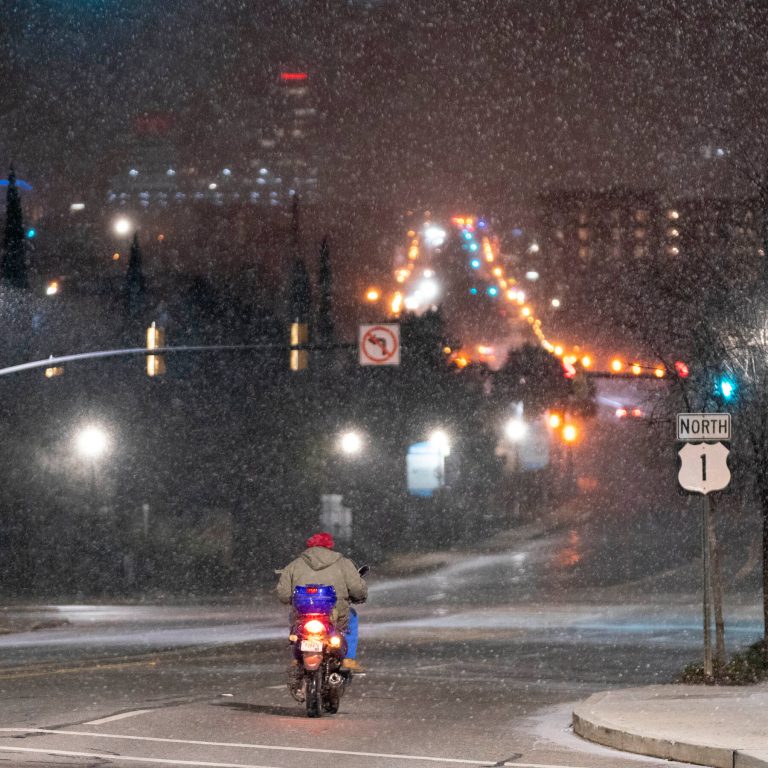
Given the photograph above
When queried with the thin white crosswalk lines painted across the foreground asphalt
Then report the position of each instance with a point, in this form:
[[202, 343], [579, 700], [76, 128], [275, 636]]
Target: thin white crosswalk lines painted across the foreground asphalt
[[271, 747]]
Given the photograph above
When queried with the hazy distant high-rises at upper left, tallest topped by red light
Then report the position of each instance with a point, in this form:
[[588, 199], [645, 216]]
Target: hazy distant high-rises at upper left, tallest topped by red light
[[272, 151]]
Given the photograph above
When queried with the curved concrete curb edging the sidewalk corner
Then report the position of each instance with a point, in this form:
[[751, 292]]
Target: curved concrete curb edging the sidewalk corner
[[593, 728]]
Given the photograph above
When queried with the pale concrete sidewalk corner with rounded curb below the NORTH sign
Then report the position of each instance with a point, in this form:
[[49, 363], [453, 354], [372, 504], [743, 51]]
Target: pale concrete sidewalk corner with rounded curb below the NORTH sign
[[726, 727]]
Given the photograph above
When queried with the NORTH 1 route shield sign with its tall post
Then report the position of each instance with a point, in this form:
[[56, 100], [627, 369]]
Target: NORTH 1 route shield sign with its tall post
[[703, 469]]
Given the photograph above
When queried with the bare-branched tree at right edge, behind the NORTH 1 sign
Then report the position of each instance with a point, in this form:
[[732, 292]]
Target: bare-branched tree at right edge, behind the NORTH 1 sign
[[720, 331]]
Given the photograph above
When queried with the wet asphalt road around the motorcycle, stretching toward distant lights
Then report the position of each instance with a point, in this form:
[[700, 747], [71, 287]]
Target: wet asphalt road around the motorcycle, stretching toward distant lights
[[475, 664]]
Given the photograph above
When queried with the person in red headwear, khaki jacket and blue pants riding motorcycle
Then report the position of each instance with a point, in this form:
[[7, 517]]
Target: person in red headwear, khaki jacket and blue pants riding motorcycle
[[319, 564]]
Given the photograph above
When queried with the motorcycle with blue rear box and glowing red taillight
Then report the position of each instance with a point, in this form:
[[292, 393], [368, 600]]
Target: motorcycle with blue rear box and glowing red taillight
[[318, 649]]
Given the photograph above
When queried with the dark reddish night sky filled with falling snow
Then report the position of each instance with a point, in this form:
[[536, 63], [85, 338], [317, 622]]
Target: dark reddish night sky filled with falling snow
[[460, 101]]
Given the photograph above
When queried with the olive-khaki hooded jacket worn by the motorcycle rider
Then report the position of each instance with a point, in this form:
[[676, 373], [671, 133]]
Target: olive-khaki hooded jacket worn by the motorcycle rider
[[318, 565]]
